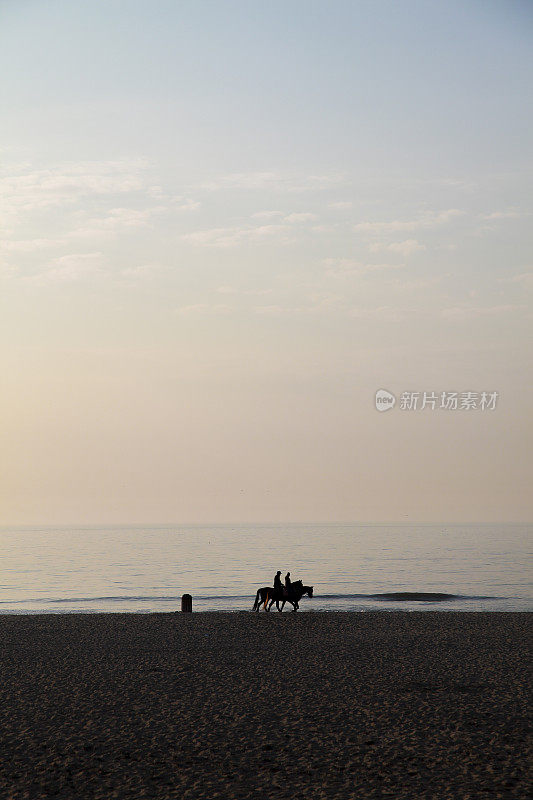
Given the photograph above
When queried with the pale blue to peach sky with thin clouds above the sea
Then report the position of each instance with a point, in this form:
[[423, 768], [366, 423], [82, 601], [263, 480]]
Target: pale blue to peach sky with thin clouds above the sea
[[226, 225]]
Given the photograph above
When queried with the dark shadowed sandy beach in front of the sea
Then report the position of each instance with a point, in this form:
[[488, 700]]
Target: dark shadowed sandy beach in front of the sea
[[242, 705]]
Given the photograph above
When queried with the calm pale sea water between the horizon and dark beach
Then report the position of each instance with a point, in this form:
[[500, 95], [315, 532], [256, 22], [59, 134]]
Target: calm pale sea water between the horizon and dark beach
[[351, 566]]
